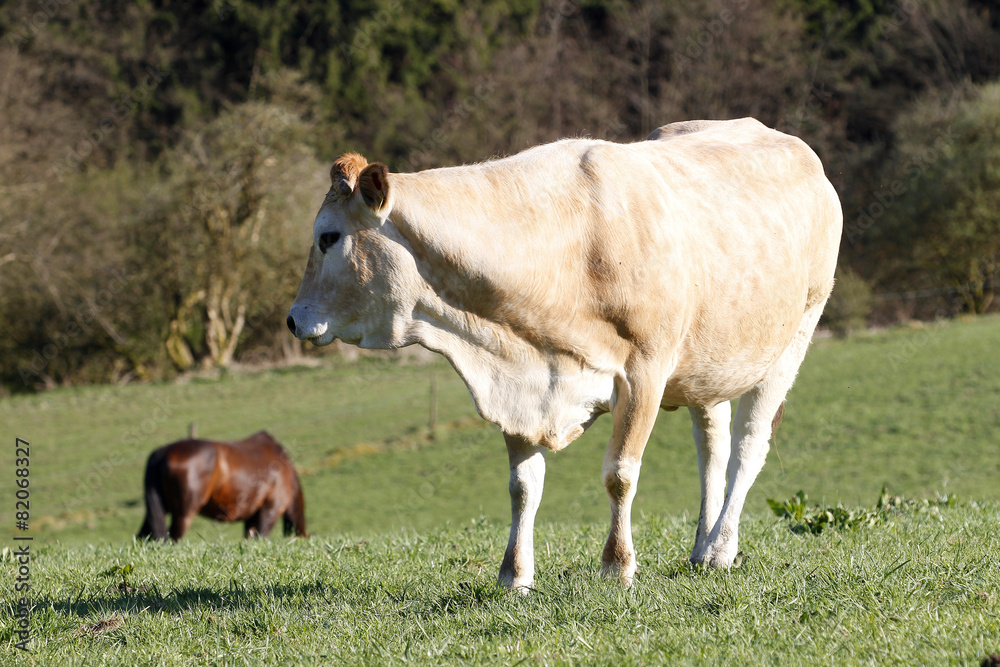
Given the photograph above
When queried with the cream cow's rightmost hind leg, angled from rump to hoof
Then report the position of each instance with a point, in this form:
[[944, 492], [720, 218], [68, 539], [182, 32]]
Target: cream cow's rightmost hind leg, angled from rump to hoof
[[751, 435]]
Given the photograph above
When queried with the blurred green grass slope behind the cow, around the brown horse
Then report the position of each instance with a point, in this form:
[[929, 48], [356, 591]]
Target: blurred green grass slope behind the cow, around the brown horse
[[916, 409]]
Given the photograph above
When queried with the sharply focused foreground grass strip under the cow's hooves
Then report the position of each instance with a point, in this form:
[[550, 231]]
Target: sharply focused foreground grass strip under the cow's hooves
[[922, 589]]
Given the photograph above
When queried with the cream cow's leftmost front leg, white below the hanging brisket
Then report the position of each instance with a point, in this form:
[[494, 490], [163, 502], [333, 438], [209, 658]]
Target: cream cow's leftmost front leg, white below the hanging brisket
[[527, 475]]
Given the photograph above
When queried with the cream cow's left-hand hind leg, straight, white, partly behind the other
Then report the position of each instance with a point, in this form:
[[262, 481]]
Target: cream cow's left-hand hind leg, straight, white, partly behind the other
[[710, 427]]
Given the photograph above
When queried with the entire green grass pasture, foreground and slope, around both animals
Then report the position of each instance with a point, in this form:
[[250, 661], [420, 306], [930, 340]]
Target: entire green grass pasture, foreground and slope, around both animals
[[409, 530]]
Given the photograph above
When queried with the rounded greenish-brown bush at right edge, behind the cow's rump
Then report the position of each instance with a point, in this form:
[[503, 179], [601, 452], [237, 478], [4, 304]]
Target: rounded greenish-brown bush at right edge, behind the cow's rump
[[940, 196]]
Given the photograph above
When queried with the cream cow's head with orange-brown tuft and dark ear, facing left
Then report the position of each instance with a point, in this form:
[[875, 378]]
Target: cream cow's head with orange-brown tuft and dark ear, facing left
[[351, 287]]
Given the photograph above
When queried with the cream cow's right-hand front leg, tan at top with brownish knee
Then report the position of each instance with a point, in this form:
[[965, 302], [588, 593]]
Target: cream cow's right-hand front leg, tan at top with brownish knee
[[634, 415]]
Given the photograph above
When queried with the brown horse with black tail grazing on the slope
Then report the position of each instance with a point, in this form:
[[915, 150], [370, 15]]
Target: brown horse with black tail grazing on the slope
[[252, 481]]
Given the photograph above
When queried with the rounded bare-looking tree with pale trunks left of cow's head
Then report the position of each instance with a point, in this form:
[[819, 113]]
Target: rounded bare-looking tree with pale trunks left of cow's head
[[219, 243]]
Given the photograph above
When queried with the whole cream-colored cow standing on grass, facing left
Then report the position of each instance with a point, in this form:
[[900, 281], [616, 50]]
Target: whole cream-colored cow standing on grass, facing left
[[584, 277]]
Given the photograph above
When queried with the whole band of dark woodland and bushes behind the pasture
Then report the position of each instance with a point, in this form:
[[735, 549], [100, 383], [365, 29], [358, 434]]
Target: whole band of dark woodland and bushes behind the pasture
[[161, 162]]
